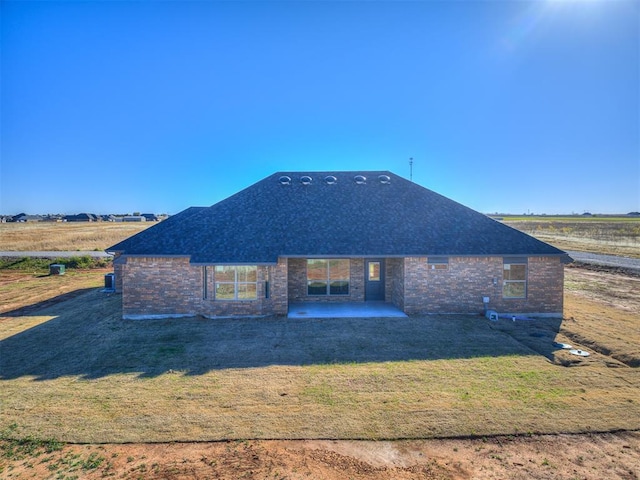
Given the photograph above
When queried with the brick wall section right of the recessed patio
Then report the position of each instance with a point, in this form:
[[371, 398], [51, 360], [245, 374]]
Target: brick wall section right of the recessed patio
[[460, 288]]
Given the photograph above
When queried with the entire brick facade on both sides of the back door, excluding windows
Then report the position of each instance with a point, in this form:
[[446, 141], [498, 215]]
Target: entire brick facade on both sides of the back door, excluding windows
[[172, 287]]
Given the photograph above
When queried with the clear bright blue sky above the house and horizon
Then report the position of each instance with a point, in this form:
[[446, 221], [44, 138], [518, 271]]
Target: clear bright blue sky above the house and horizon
[[507, 106]]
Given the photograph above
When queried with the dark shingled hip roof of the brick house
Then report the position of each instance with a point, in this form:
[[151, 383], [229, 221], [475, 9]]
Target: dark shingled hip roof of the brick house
[[344, 218]]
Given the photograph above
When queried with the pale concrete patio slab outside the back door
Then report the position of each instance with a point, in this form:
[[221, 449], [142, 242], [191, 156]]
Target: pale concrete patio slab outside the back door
[[344, 310]]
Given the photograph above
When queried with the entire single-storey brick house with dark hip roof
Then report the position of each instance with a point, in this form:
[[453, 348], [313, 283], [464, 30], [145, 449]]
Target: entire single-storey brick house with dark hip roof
[[335, 237]]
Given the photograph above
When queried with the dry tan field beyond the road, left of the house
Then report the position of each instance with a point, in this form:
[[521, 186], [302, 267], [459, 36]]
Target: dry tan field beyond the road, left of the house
[[65, 236]]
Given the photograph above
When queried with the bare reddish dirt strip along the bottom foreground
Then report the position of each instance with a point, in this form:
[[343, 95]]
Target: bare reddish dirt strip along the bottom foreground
[[596, 456]]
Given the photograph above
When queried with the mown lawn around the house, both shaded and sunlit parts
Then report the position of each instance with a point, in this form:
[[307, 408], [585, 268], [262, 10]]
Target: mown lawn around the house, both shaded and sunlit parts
[[76, 372]]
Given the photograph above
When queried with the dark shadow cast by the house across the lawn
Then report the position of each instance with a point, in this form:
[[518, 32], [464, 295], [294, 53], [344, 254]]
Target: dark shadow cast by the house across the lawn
[[87, 337]]
